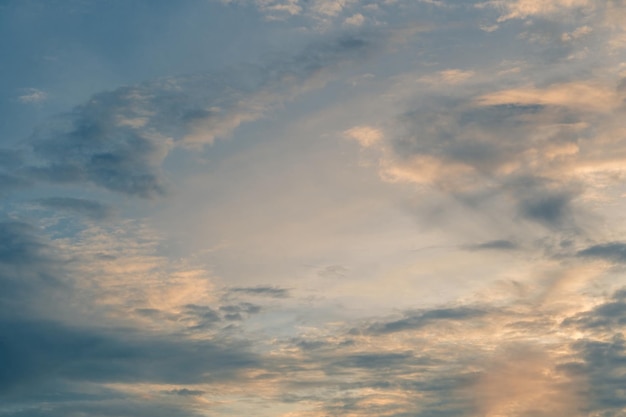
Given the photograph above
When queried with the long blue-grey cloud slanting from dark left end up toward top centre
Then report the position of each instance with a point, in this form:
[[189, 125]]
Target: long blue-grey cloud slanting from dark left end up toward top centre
[[119, 139]]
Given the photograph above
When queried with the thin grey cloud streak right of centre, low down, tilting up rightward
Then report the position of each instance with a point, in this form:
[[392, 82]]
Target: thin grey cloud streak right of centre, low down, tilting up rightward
[[420, 319]]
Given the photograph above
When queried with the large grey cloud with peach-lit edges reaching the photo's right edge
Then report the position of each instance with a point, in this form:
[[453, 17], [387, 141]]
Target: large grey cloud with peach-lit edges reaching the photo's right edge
[[527, 151]]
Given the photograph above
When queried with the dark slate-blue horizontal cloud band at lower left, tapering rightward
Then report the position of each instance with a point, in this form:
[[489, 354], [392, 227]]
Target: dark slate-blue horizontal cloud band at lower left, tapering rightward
[[36, 351]]
